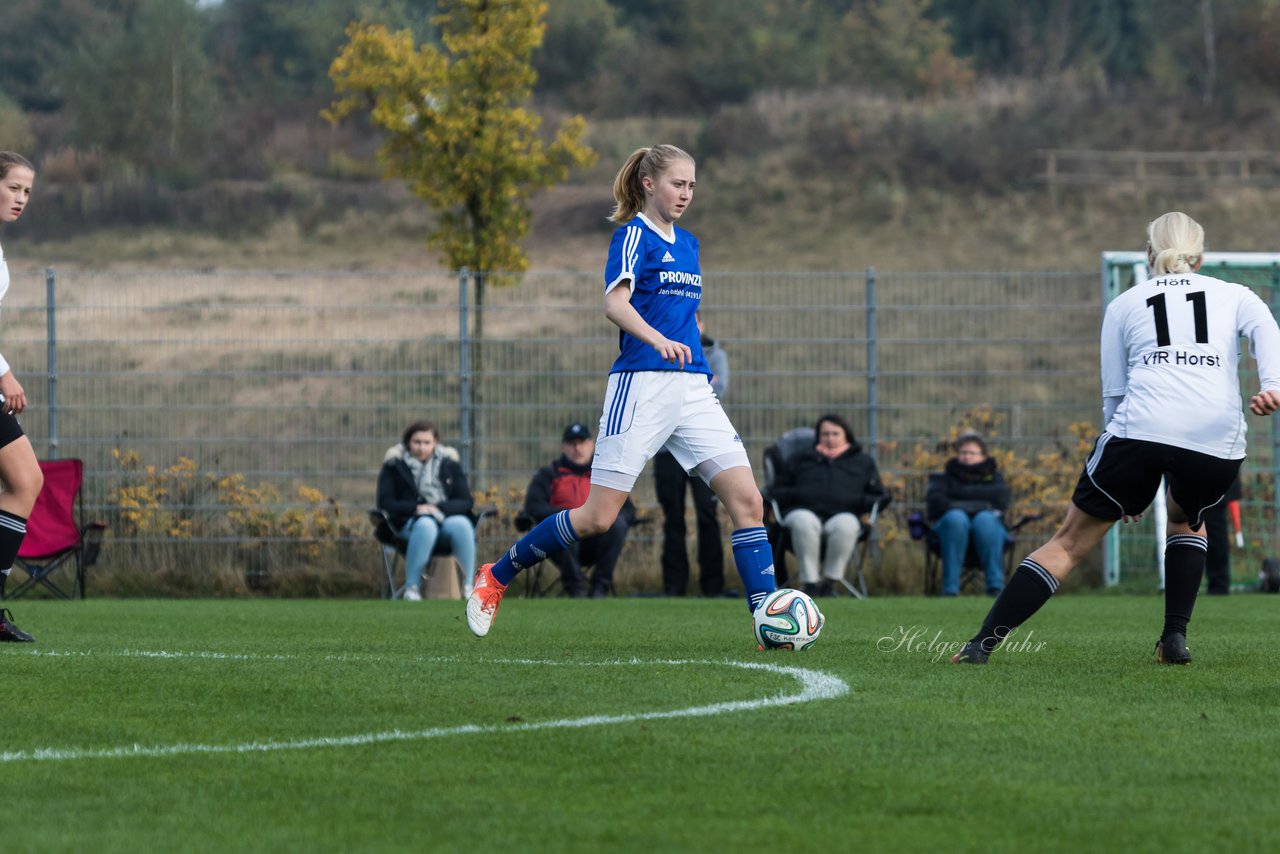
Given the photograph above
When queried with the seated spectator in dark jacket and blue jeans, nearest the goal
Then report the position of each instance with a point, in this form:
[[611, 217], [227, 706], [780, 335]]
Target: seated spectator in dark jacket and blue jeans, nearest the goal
[[967, 503]]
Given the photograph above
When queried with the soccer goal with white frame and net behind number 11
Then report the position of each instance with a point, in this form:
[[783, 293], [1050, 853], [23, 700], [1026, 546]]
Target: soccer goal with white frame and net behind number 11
[[1260, 272]]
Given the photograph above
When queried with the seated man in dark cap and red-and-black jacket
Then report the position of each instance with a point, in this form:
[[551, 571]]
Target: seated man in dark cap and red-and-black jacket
[[564, 486]]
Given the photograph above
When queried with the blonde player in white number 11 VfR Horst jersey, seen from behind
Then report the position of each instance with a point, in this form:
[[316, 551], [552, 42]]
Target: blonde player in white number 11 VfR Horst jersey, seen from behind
[[1172, 409]]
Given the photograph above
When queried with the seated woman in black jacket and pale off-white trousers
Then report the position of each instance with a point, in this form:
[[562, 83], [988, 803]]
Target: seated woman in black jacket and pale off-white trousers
[[821, 494]]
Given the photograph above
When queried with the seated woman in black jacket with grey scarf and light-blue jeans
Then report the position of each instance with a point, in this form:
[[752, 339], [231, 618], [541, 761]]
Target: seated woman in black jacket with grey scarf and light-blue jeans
[[424, 491]]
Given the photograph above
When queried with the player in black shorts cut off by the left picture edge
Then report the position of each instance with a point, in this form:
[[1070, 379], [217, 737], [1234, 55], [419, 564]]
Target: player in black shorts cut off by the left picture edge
[[20, 472]]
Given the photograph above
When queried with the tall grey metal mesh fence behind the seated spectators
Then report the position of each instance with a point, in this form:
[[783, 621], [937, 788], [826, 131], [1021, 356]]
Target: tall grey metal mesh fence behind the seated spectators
[[221, 408]]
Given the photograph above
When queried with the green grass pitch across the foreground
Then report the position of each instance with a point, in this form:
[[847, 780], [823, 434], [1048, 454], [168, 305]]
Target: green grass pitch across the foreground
[[633, 725]]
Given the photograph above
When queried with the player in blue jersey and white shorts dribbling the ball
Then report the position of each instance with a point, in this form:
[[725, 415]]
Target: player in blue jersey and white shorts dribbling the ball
[[660, 391]]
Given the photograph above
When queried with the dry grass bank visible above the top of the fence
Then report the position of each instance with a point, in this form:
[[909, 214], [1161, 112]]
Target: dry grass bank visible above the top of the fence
[[742, 227]]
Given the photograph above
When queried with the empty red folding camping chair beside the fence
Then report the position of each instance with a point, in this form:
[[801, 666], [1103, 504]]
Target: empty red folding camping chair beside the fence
[[57, 536]]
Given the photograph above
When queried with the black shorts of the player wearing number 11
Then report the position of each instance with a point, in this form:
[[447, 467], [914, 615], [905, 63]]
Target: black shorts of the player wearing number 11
[[1122, 477]]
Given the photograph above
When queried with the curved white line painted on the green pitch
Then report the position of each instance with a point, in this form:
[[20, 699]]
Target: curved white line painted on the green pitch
[[815, 686]]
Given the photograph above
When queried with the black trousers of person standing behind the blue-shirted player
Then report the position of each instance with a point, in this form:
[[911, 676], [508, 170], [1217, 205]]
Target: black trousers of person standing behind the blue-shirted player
[[671, 482]]
